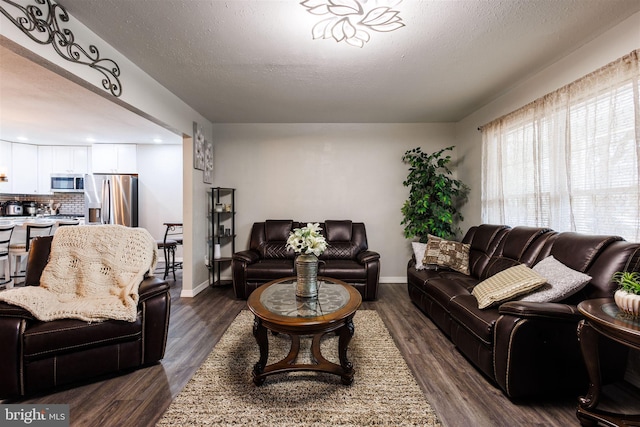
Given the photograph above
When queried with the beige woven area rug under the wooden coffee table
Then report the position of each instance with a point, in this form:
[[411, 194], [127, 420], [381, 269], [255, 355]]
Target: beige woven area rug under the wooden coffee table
[[222, 393]]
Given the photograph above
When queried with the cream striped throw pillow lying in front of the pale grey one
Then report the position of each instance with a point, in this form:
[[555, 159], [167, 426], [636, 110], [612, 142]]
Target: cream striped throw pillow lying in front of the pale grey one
[[507, 285]]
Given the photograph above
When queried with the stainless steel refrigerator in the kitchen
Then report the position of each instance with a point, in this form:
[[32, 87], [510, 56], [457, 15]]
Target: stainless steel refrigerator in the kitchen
[[111, 199]]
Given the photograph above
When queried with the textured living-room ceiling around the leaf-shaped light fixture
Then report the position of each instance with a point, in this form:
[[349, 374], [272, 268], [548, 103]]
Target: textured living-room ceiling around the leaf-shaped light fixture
[[255, 61]]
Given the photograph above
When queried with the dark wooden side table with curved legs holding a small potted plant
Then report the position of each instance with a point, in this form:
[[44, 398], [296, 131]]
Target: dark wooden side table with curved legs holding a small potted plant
[[603, 318]]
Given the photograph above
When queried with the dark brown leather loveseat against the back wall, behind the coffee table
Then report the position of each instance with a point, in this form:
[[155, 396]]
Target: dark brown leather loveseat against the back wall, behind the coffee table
[[347, 257]]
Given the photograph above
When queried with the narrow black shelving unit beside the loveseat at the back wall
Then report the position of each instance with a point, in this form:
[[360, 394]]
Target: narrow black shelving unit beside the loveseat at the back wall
[[222, 231]]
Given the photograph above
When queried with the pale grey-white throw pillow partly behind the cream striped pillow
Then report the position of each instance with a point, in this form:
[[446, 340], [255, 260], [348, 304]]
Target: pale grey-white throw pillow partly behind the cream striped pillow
[[562, 281]]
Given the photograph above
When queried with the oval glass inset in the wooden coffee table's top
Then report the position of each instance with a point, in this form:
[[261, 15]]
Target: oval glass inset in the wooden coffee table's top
[[280, 298]]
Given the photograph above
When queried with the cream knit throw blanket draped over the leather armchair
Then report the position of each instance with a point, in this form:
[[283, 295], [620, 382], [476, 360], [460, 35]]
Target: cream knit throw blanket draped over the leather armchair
[[93, 274]]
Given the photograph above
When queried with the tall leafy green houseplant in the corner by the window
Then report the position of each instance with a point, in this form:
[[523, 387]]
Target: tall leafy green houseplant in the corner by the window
[[434, 196]]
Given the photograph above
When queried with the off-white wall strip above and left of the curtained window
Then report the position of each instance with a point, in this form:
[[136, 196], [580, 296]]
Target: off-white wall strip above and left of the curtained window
[[612, 45]]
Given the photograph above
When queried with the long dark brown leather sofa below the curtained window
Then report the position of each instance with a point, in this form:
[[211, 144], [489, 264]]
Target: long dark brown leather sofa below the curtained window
[[526, 348]]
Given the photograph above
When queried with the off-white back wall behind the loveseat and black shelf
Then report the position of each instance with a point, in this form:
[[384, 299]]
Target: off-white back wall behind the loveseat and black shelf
[[314, 172]]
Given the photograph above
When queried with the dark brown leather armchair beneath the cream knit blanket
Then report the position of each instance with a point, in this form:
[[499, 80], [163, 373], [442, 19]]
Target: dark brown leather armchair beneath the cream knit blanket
[[39, 356]]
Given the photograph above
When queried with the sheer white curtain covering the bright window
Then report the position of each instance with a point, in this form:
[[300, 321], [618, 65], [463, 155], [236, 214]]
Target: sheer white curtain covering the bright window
[[569, 160]]
